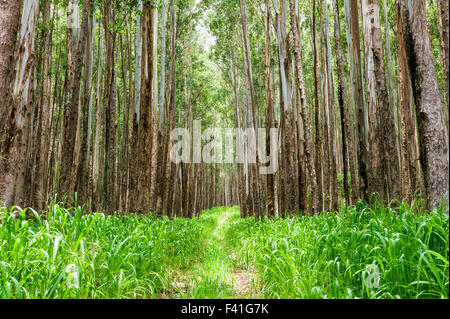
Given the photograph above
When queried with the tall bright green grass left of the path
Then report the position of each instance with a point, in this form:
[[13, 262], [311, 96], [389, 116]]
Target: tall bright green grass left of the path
[[65, 254]]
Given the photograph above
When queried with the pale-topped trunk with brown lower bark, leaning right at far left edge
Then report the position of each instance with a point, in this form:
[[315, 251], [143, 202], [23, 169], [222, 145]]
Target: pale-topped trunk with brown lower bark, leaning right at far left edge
[[14, 150]]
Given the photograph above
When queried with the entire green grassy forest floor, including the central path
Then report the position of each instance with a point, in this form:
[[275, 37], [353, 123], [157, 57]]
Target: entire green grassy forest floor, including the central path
[[360, 252]]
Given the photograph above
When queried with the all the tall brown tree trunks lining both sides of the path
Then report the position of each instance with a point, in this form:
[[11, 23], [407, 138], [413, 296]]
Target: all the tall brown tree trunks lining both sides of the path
[[76, 128]]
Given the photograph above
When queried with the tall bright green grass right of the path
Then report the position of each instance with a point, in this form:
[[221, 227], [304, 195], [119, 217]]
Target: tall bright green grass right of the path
[[342, 255]]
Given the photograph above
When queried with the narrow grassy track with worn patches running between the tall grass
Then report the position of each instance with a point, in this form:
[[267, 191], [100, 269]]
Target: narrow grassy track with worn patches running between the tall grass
[[217, 274]]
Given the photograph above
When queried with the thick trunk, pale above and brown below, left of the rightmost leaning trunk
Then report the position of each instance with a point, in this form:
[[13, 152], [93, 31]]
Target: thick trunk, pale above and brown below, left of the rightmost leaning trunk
[[384, 169]]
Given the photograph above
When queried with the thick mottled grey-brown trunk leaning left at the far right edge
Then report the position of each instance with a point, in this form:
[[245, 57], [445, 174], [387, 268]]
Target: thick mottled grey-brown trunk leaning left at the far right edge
[[433, 135]]
